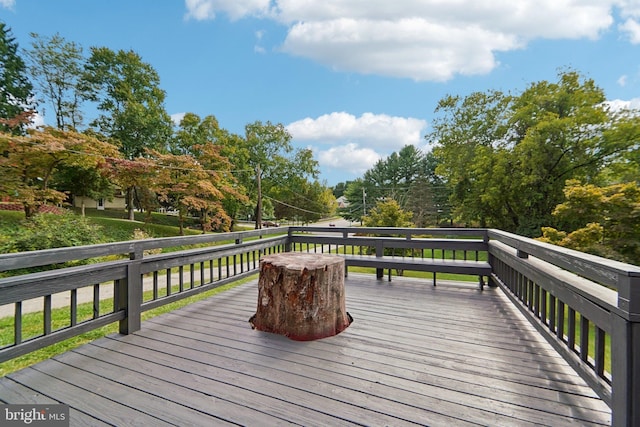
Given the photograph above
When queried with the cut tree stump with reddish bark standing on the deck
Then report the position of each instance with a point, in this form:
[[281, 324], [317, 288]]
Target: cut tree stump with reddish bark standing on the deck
[[301, 296]]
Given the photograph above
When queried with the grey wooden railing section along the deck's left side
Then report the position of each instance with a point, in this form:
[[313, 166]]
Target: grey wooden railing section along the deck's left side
[[114, 284]]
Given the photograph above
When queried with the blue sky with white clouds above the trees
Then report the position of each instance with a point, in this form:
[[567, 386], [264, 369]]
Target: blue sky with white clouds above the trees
[[353, 80]]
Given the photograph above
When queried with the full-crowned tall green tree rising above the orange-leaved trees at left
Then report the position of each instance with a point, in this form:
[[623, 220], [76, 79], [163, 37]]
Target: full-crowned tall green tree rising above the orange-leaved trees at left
[[128, 93]]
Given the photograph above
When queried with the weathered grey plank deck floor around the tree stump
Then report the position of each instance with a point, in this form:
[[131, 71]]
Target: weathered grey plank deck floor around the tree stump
[[415, 354]]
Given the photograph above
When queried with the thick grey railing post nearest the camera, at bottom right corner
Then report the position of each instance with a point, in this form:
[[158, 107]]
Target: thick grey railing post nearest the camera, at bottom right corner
[[625, 355]]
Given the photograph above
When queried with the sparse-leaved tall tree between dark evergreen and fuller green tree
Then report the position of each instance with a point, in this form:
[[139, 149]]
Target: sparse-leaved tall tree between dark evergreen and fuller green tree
[[57, 66]]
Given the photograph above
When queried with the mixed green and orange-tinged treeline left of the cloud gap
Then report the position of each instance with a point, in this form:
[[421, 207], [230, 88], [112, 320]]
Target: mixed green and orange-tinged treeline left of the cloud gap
[[131, 145]]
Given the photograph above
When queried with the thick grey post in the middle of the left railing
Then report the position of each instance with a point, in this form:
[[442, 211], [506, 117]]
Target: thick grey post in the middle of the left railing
[[130, 294]]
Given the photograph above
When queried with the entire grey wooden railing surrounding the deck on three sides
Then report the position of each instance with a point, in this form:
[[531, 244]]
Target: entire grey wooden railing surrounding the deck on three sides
[[587, 307]]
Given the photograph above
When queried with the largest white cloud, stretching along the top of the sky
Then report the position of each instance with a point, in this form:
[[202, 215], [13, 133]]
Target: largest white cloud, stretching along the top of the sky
[[420, 39]]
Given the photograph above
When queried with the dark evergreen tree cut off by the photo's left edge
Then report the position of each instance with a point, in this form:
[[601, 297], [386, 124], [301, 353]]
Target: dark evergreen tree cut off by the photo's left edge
[[16, 91]]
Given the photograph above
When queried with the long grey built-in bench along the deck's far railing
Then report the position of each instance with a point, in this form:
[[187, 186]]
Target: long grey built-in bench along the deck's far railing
[[473, 268]]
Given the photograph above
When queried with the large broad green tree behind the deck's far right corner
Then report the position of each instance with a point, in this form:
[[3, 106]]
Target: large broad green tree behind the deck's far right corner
[[506, 158]]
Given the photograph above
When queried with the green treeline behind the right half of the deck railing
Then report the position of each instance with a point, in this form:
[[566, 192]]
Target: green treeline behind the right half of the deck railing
[[556, 162]]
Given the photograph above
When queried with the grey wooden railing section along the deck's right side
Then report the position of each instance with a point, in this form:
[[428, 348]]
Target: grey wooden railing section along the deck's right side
[[587, 307]]
